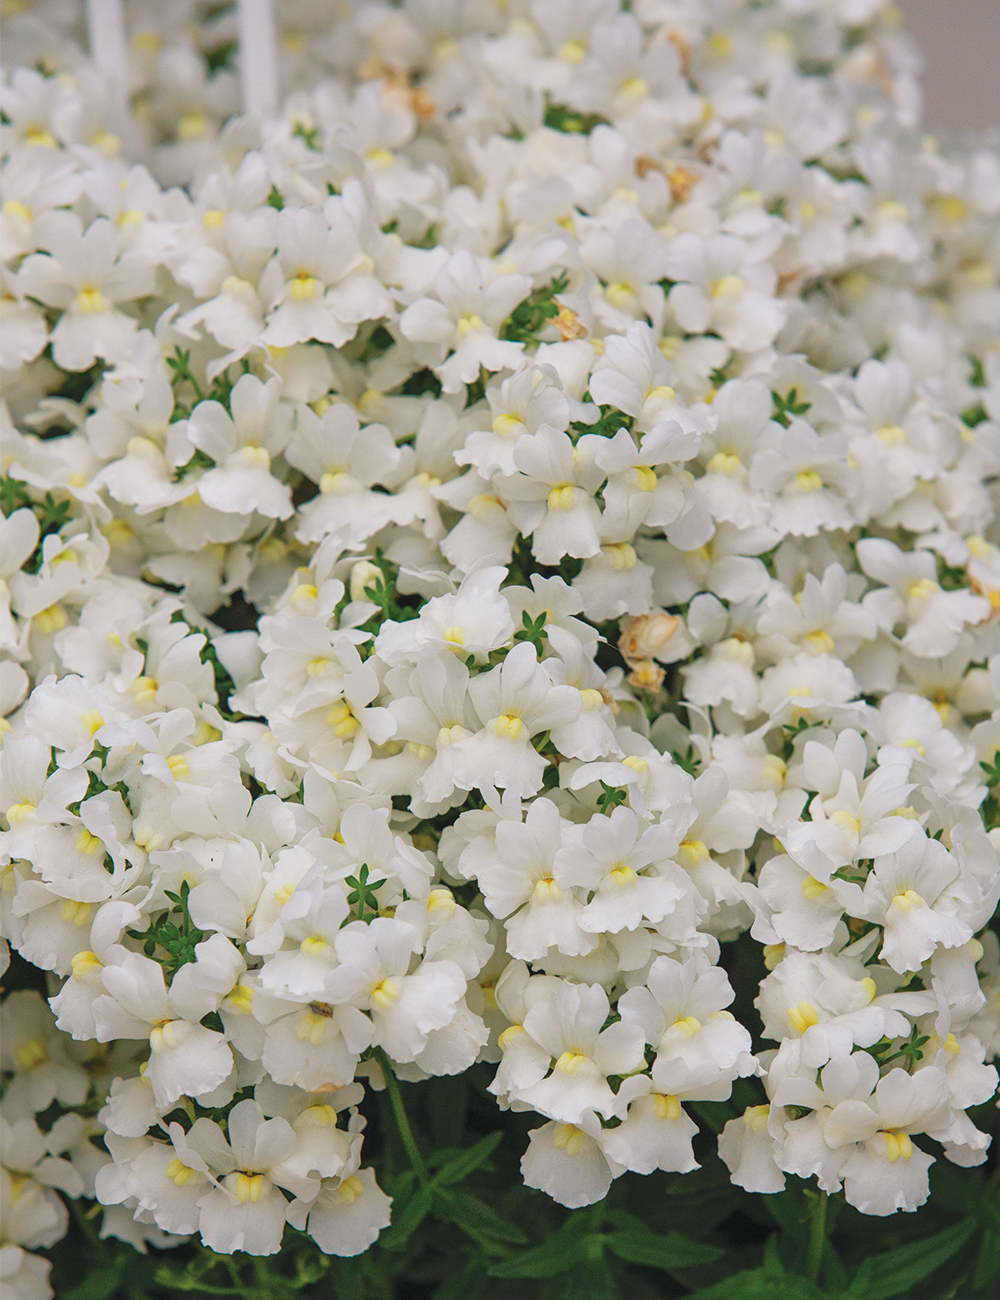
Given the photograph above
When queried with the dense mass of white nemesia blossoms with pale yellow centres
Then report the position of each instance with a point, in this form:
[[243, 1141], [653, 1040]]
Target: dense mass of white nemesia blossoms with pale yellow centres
[[477, 545]]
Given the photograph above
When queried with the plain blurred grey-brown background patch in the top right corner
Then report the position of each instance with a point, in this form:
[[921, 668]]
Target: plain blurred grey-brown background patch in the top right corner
[[960, 41]]
